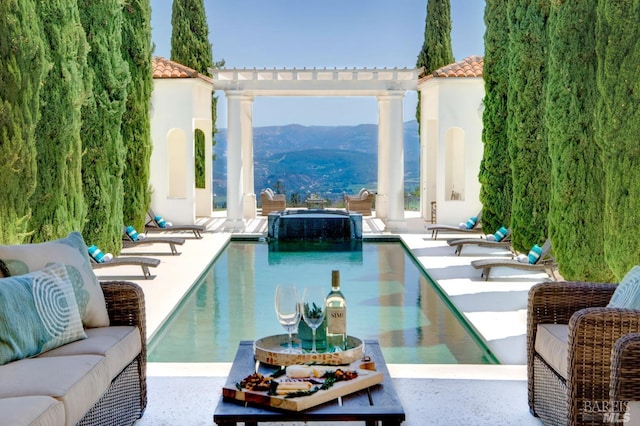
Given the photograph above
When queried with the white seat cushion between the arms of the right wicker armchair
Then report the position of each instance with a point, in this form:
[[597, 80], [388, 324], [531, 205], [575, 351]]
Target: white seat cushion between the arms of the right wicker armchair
[[551, 343]]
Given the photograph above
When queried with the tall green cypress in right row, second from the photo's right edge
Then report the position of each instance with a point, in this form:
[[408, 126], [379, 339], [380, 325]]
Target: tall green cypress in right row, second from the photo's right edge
[[577, 186]]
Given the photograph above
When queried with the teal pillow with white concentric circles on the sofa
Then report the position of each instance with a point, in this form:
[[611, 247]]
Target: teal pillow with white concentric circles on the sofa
[[38, 312]]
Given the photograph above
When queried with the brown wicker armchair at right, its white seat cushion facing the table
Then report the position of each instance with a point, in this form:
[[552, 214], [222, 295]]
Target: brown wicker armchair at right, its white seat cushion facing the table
[[582, 397]]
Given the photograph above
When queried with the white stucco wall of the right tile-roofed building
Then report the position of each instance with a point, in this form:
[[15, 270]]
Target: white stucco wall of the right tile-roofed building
[[450, 109]]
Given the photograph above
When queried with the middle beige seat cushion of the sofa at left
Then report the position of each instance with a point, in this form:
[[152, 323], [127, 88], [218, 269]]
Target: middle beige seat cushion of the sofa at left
[[78, 381]]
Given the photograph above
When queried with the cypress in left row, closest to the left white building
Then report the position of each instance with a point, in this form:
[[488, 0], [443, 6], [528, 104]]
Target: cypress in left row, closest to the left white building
[[136, 125]]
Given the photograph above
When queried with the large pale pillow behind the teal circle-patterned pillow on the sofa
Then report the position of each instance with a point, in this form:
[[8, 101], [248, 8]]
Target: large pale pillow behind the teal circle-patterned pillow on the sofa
[[73, 253]]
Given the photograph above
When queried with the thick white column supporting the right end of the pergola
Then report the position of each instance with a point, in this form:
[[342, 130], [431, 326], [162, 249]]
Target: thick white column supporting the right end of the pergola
[[391, 160]]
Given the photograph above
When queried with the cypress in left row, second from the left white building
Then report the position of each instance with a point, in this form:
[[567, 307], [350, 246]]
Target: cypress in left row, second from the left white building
[[103, 161]]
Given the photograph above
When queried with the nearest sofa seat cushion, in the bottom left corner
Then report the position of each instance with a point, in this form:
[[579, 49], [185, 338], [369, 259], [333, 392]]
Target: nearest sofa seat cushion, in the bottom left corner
[[31, 411]]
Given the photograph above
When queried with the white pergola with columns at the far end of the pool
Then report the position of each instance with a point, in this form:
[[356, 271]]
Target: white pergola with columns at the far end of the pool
[[387, 85]]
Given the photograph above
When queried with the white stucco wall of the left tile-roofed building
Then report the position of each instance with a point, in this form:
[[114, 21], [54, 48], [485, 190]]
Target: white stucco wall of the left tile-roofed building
[[179, 107]]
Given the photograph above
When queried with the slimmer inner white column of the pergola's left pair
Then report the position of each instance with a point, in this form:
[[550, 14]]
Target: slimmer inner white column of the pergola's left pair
[[246, 125]]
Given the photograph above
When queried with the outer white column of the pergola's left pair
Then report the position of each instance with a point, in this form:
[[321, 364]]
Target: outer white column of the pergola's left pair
[[234, 162]]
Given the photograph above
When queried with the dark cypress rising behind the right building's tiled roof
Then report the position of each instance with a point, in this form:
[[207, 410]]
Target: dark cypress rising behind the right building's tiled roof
[[436, 48]]
